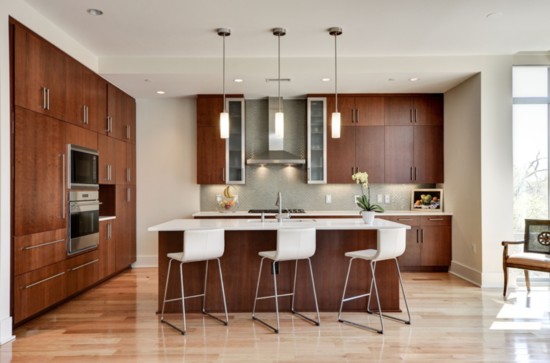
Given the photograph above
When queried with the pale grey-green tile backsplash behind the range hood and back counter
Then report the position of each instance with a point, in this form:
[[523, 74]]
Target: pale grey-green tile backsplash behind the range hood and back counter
[[264, 182]]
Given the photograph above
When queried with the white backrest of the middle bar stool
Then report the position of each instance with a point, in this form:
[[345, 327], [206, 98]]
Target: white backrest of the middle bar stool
[[295, 244]]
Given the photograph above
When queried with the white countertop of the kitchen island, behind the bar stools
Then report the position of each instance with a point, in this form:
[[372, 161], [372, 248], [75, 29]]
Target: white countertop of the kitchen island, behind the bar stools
[[256, 224]]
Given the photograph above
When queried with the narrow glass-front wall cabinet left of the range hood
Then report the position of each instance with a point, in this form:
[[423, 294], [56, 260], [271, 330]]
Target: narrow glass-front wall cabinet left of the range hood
[[234, 145]]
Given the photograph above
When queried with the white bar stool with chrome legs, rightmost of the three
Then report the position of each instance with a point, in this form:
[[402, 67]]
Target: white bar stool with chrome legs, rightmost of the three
[[391, 244]]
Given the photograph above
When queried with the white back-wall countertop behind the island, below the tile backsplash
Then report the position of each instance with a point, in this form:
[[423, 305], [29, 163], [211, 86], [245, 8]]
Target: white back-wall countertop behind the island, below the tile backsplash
[[345, 213]]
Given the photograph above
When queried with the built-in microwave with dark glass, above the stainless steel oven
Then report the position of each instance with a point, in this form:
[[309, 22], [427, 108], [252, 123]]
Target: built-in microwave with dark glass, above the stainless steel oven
[[83, 166]]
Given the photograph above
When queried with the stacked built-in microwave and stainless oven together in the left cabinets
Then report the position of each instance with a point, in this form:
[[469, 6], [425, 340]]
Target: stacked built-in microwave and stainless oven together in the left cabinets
[[83, 199]]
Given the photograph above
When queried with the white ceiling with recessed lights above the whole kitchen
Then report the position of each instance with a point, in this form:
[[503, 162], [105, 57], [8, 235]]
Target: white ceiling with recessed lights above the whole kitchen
[[148, 45]]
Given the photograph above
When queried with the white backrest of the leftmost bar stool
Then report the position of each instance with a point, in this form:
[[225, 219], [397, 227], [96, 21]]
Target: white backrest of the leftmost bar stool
[[202, 245]]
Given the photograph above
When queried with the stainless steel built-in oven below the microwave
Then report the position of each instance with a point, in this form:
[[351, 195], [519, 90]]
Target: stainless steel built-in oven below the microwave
[[83, 221]]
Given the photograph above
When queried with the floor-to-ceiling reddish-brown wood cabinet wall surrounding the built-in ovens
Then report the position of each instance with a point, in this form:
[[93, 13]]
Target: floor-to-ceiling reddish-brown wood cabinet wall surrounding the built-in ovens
[[56, 102]]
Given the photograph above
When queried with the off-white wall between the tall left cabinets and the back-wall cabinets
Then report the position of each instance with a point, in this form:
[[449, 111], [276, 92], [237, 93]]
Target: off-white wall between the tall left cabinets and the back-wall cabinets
[[166, 168]]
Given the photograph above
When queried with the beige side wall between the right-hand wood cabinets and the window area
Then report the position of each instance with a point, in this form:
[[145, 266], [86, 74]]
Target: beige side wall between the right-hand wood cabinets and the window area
[[463, 176]]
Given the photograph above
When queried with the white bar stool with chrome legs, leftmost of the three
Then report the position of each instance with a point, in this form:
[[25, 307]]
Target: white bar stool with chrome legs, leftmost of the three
[[198, 245]]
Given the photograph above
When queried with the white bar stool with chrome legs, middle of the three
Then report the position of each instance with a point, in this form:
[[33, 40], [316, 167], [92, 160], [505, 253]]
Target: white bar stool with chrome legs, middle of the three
[[292, 244]]
